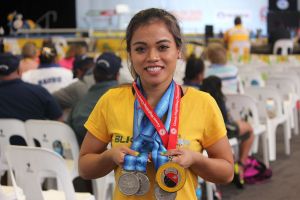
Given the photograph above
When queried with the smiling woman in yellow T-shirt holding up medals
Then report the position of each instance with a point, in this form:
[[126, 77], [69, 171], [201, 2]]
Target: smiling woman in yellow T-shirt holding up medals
[[122, 117]]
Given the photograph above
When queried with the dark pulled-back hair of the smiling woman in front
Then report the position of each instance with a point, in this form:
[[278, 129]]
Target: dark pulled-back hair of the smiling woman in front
[[144, 17]]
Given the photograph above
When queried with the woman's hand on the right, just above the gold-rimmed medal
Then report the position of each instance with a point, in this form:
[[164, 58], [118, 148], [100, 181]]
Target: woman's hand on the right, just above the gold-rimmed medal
[[181, 156]]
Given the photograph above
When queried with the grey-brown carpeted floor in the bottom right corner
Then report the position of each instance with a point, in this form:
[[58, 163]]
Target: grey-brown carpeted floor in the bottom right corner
[[285, 182]]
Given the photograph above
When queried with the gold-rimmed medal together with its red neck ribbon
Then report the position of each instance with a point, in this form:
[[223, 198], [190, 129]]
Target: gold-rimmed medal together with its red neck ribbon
[[170, 177]]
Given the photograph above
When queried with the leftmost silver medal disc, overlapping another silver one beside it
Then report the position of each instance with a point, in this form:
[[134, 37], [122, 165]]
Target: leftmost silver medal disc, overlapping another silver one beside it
[[129, 183]]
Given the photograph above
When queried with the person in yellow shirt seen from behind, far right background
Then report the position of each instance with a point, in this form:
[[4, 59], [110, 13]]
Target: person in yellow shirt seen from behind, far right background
[[238, 33]]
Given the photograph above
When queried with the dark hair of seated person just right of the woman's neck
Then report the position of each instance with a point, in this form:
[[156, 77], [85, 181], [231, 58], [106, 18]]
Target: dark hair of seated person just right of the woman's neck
[[194, 67]]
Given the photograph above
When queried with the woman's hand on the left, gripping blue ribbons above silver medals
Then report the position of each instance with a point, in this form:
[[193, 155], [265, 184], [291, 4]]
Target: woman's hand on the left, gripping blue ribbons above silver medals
[[118, 154]]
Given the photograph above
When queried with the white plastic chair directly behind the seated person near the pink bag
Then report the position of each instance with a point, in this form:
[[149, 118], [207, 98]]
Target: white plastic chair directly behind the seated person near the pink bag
[[240, 103]]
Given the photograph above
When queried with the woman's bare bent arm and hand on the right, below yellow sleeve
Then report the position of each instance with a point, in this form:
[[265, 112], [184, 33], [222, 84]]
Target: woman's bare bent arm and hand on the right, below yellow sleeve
[[216, 168]]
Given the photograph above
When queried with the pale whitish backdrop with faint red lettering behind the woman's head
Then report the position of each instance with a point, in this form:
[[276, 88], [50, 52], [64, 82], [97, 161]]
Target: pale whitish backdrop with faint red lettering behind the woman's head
[[193, 14]]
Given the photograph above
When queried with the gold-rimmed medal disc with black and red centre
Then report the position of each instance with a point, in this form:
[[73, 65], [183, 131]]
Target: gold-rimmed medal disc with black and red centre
[[170, 177]]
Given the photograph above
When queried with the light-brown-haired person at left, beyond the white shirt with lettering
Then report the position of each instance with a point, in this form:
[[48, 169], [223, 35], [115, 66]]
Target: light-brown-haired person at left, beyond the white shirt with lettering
[[30, 59]]
